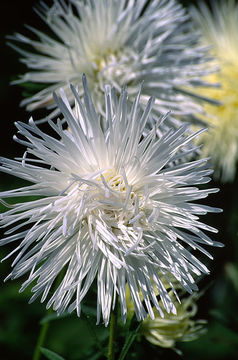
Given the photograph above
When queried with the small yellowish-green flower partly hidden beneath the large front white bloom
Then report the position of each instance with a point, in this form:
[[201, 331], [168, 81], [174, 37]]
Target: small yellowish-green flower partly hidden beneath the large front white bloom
[[172, 328]]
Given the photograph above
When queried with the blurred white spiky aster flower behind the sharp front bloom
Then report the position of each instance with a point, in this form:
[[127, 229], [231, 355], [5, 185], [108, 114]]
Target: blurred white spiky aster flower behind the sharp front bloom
[[117, 42]]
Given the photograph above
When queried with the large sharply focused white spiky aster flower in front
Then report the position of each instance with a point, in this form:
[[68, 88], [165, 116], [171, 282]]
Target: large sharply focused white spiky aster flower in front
[[109, 209]]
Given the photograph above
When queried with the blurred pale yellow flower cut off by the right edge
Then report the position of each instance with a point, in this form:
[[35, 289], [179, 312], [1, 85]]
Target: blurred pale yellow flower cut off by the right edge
[[220, 30]]
